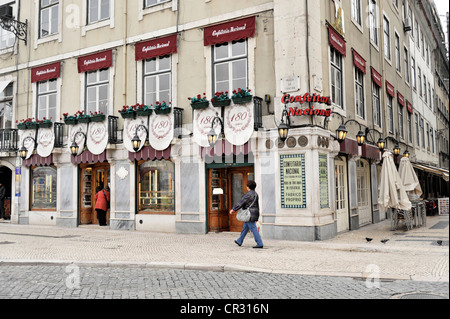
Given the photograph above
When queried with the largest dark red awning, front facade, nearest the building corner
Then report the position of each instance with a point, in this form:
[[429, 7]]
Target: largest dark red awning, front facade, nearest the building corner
[[230, 31]]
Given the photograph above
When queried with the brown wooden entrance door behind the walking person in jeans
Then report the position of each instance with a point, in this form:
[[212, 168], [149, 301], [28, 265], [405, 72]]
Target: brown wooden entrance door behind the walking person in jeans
[[233, 182]]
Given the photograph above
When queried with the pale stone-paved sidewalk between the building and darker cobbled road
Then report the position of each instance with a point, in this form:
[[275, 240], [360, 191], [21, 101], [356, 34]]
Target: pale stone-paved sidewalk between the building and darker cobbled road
[[407, 255]]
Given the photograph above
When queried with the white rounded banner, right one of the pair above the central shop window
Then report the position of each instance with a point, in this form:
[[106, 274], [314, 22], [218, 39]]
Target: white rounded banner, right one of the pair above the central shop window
[[161, 130]]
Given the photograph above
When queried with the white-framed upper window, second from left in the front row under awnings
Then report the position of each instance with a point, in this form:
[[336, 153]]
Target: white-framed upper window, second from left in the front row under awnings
[[97, 91]]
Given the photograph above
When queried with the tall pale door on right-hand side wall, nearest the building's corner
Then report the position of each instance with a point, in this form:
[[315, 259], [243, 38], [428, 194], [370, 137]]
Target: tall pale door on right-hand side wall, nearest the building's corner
[[342, 221]]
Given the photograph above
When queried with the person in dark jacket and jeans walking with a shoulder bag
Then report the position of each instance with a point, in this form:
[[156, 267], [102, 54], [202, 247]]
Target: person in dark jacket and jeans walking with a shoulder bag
[[249, 200]]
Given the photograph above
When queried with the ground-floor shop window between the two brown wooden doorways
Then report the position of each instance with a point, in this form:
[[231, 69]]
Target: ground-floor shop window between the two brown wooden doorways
[[156, 187]]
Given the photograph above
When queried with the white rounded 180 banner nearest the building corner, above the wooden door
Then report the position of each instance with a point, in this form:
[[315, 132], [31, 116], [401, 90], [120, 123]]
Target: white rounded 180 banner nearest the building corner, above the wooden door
[[239, 123]]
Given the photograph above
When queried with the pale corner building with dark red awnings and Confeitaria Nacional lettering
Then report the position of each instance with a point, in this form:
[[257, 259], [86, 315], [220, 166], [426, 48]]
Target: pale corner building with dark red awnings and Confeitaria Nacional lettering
[[312, 65]]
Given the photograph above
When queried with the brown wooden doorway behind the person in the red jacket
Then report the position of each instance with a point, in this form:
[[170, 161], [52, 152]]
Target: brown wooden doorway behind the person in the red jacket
[[93, 177]]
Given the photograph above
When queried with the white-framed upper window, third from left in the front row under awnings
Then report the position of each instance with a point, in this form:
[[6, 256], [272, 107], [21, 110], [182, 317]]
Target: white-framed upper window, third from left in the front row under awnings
[[157, 80]]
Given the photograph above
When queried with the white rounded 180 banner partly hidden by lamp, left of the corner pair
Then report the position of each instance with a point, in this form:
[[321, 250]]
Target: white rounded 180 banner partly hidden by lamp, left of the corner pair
[[202, 125]]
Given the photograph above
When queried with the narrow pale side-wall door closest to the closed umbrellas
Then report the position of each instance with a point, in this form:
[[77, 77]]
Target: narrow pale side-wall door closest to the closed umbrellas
[[363, 192]]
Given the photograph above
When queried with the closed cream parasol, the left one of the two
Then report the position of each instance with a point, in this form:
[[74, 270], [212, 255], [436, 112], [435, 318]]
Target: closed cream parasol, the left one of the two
[[391, 192]]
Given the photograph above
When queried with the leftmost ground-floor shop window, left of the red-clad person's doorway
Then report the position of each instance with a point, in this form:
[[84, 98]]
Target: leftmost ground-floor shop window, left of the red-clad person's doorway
[[43, 184]]
